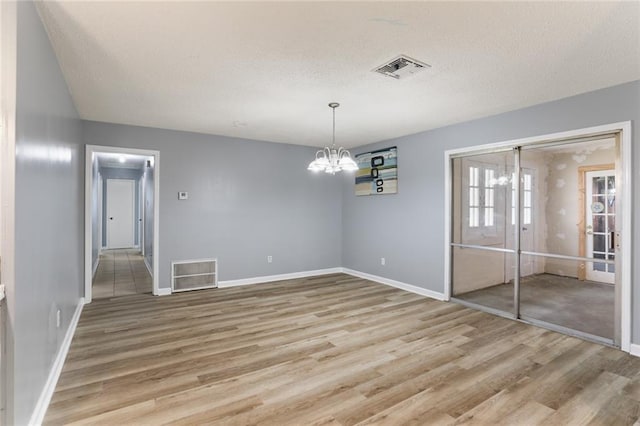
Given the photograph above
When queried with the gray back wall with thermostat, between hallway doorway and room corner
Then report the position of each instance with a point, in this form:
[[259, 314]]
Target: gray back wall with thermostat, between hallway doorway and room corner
[[247, 200]]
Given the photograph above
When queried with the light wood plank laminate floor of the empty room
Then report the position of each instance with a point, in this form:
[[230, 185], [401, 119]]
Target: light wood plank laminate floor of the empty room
[[334, 350]]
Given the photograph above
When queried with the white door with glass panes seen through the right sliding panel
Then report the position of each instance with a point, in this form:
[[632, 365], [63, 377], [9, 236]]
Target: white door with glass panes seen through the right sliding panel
[[600, 224]]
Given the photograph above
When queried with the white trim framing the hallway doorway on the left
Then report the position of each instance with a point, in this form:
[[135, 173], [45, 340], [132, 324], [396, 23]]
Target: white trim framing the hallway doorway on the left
[[90, 152]]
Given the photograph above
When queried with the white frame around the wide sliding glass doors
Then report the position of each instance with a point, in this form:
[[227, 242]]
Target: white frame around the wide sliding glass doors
[[623, 131]]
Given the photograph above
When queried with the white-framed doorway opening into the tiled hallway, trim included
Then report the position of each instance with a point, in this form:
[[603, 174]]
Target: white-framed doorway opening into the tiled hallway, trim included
[[121, 222]]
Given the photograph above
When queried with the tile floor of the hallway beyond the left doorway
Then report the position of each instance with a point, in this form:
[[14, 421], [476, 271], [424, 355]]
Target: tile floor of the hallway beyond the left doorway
[[119, 273]]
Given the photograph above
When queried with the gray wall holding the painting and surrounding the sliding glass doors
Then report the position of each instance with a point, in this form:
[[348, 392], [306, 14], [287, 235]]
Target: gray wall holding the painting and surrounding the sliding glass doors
[[407, 228]]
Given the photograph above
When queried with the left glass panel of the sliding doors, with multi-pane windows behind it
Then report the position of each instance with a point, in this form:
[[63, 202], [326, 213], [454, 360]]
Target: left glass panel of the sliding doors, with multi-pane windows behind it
[[483, 215]]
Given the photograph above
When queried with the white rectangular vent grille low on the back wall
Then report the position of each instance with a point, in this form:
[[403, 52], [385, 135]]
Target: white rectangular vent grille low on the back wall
[[194, 274]]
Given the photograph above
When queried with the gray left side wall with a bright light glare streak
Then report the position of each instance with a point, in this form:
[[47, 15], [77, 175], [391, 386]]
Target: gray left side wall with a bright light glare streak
[[49, 212]]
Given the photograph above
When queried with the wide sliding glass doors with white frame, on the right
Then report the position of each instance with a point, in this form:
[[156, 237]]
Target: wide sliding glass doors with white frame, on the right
[[535, 231]]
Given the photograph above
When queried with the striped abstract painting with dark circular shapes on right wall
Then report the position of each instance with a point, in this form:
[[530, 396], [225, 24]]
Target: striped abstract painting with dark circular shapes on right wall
[[377, 172]]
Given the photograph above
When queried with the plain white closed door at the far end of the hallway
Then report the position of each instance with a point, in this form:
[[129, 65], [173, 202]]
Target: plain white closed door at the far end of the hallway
[[120, 213]]
